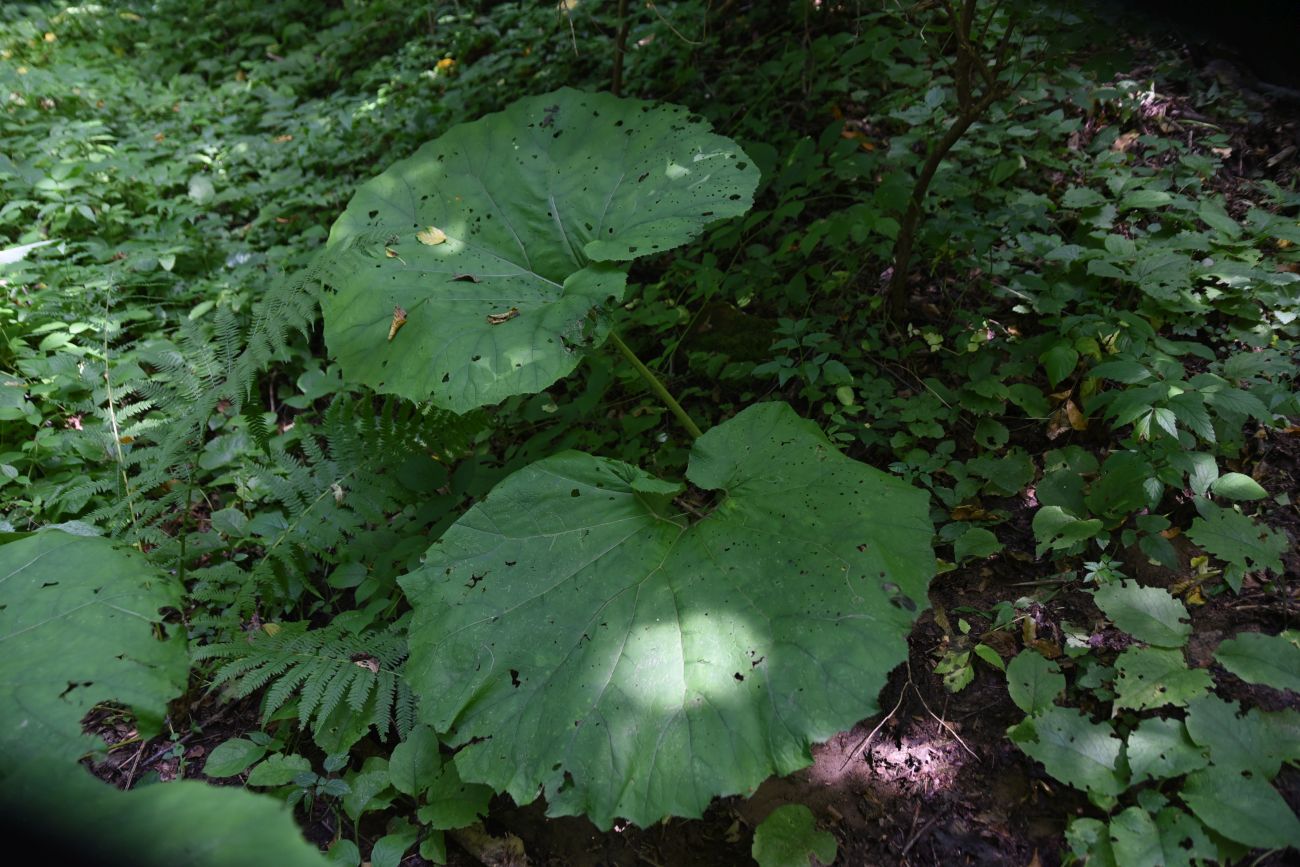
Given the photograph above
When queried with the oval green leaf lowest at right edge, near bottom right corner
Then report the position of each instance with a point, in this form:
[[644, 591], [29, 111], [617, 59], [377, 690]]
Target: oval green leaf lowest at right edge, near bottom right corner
[[1242, 808]]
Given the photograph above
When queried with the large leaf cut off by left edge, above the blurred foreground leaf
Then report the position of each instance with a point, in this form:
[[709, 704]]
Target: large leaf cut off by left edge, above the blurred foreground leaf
[[79, 621]]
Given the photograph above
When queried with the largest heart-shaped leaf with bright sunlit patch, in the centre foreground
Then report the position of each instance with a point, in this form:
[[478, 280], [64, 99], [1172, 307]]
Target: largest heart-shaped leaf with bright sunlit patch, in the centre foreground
[[579, 634]]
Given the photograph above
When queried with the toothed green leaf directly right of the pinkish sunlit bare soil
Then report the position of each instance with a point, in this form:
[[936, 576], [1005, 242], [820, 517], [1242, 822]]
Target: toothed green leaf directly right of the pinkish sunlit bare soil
[[1073, 749]]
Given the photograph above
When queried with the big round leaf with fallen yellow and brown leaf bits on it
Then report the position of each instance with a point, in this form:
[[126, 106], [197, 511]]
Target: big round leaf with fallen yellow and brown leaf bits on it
[[491, 239]]
